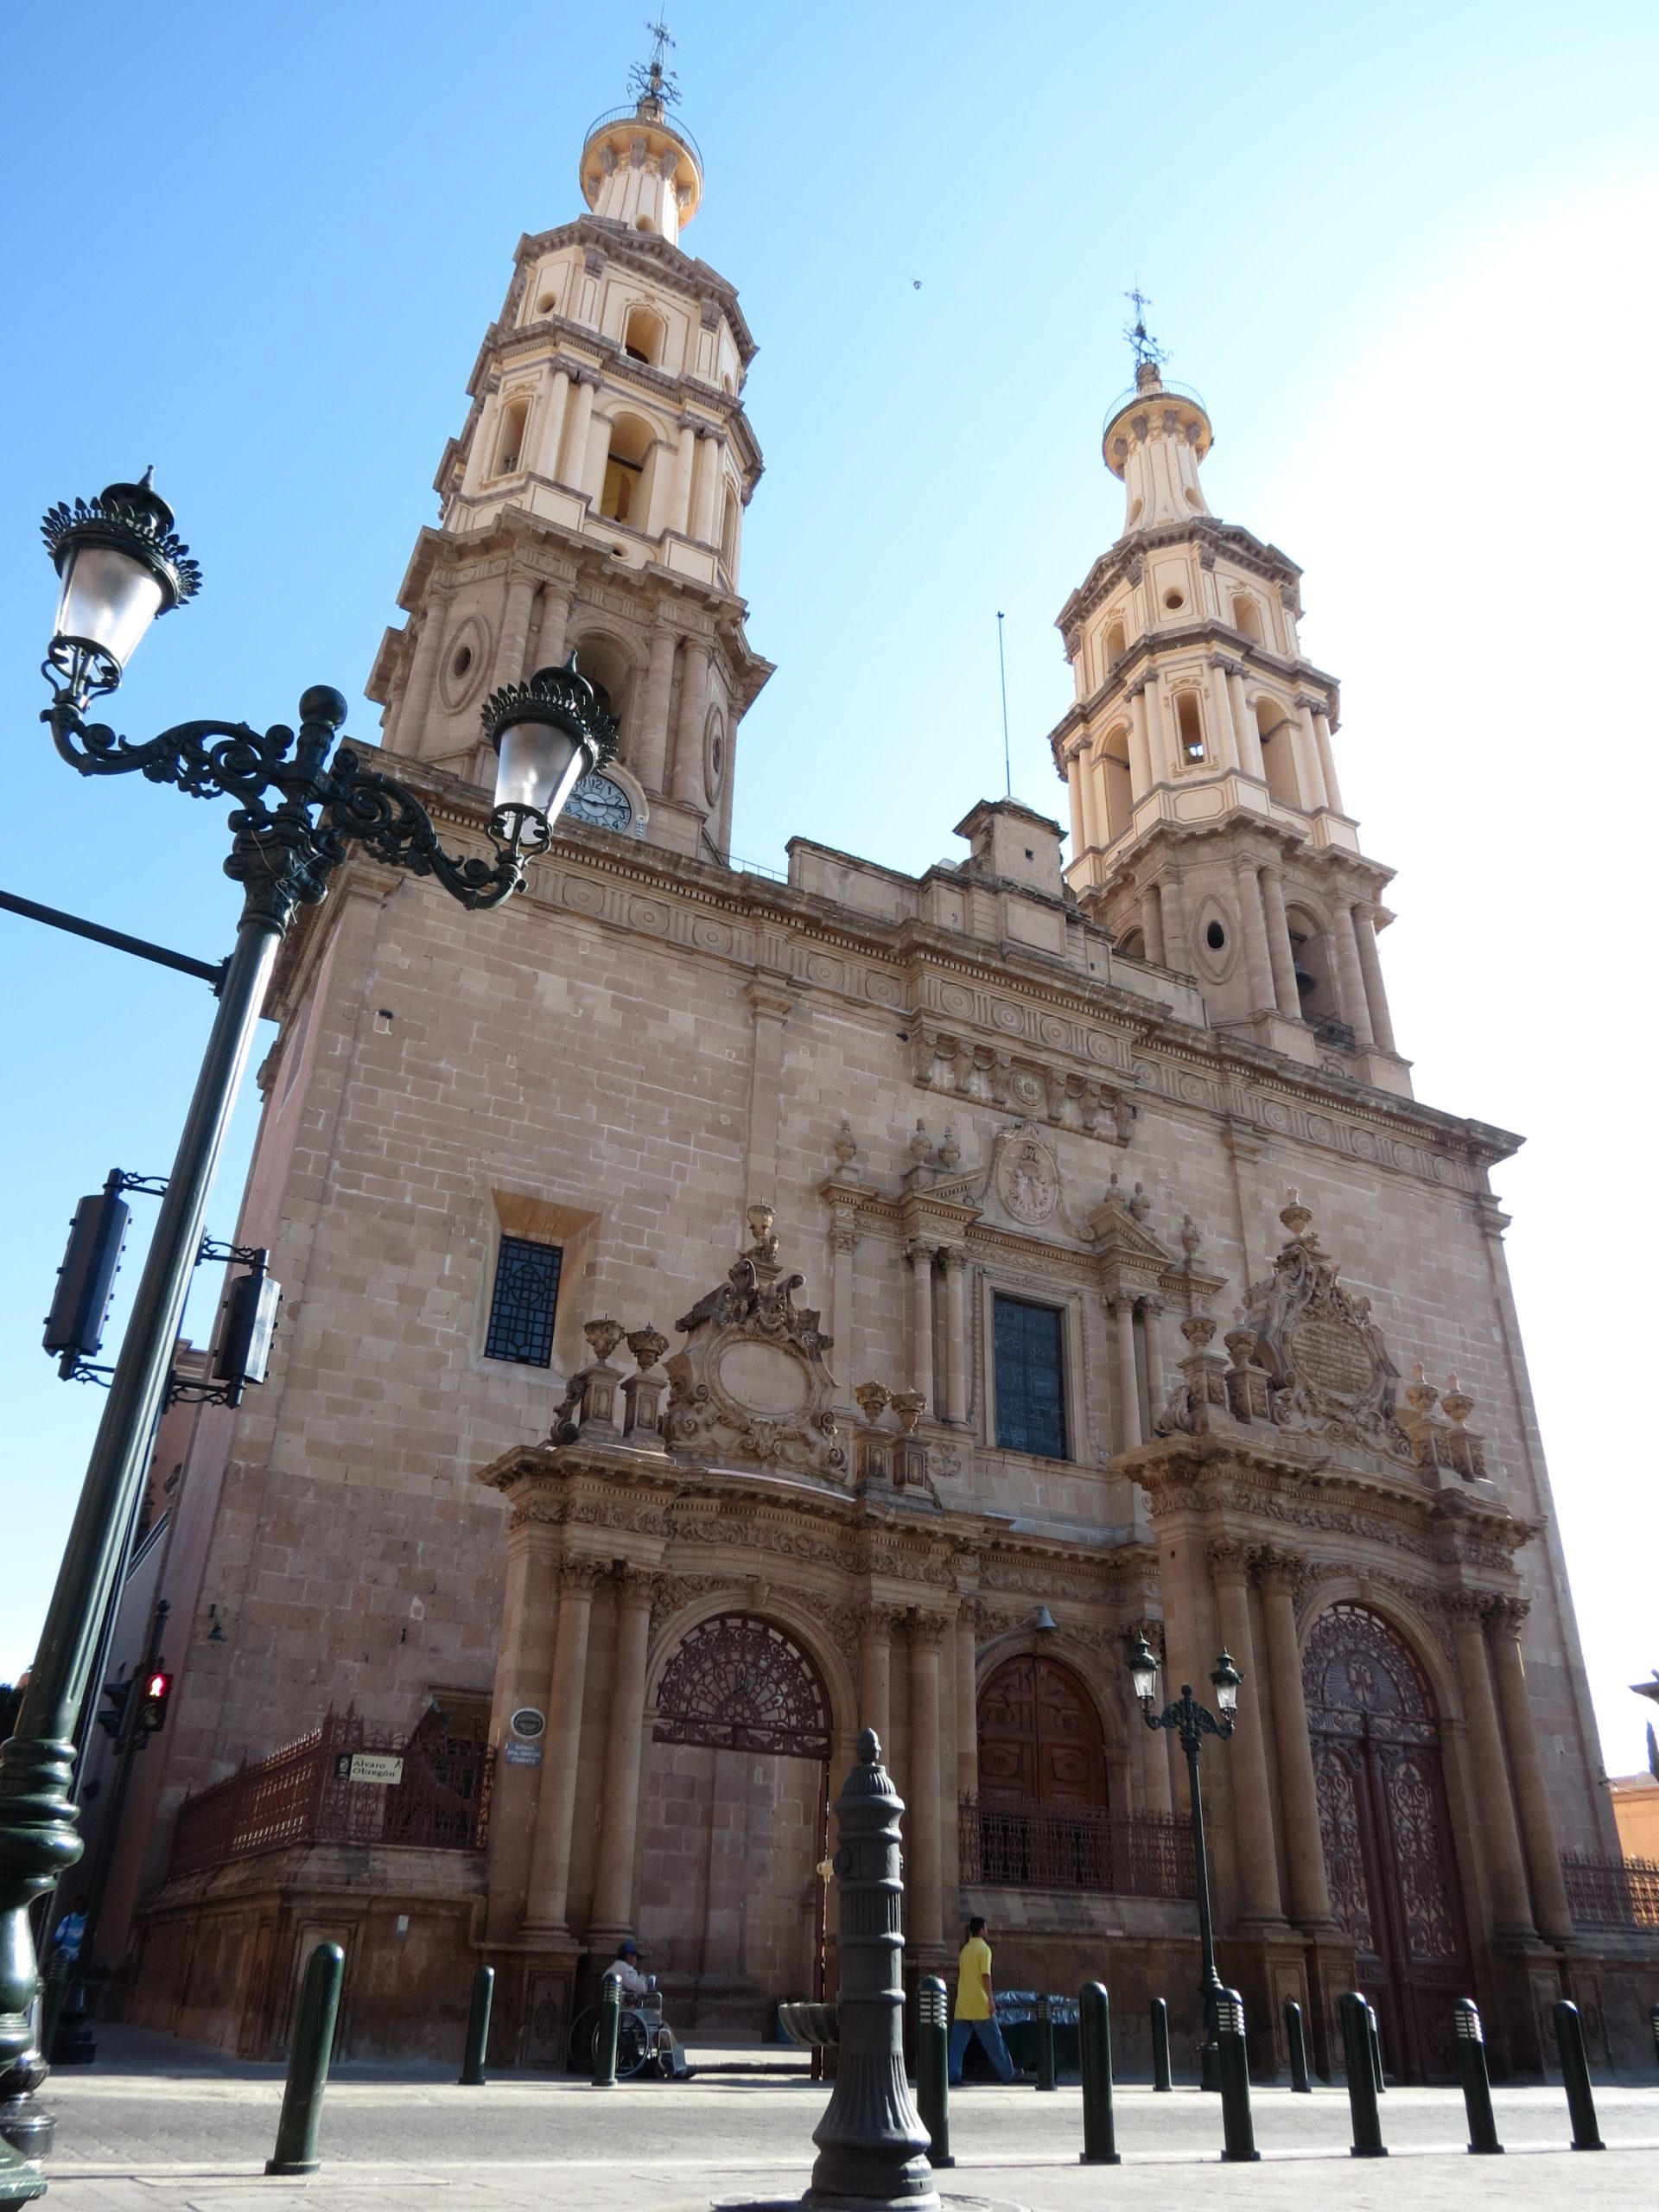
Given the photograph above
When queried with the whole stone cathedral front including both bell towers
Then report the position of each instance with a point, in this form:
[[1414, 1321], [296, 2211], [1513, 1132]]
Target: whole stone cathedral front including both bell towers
[[729, 1313]]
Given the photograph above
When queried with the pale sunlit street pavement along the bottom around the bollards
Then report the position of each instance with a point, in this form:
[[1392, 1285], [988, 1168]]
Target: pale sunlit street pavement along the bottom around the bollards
[[163, 2125]]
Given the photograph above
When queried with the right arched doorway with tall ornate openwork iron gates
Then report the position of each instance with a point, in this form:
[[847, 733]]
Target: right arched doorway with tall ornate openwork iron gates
[[1386, 1833]]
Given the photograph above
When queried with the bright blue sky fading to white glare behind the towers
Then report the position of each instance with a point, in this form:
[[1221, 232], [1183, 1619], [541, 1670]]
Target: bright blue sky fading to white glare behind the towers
[[1401, 251]]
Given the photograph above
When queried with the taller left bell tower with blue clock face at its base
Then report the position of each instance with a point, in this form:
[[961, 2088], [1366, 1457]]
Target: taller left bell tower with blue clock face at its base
[[594, 499]]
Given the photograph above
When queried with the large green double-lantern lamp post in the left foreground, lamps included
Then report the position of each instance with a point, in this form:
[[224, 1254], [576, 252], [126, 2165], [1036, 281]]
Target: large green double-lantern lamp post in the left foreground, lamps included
[[300, 806]]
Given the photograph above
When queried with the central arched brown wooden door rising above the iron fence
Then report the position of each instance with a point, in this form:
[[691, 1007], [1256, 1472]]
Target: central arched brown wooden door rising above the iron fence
[[1043, 1780]]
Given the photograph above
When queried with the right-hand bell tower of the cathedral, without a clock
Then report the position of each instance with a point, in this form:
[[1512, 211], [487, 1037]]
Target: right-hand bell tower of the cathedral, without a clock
[[1209, 828]]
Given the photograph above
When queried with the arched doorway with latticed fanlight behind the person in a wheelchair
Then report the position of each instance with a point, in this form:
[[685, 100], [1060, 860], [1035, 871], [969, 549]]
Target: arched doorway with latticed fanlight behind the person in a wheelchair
[[735, 1822]]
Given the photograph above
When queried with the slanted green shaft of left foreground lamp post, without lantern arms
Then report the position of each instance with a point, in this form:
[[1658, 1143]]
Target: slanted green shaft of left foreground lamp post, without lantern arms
[[36, 1811]]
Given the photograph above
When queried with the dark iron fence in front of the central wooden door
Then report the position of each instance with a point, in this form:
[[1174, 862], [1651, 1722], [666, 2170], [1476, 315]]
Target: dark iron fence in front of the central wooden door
[[1027, 1846]]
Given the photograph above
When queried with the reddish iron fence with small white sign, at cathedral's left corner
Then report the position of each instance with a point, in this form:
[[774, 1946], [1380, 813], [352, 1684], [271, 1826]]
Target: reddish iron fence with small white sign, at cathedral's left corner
[[306, 1795]]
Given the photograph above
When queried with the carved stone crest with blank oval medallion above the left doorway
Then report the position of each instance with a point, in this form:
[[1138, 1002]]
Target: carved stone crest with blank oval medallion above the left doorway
[[751, 1386]]
